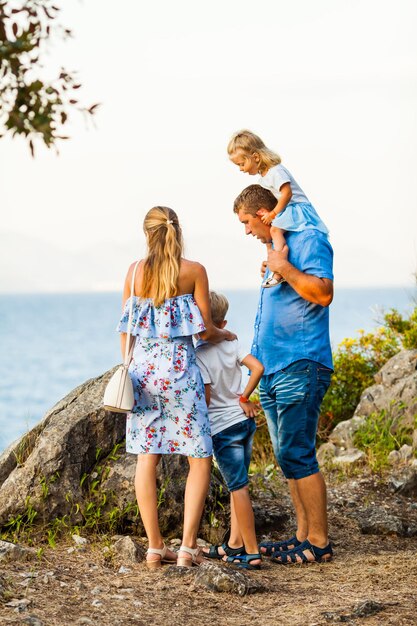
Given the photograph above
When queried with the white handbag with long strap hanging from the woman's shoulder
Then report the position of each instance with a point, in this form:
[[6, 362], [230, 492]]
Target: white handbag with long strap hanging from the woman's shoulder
[[118, 395]]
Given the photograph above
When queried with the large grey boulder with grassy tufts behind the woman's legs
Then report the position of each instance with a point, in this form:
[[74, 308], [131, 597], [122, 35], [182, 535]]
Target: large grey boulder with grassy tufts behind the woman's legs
[[74, 464]]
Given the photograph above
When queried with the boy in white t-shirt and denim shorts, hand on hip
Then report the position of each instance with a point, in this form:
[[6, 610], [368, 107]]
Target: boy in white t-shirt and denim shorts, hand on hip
[[233, 426]]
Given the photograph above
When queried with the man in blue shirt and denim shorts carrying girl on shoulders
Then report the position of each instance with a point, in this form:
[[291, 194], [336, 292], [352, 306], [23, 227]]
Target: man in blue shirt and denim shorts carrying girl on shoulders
[[292, 341]]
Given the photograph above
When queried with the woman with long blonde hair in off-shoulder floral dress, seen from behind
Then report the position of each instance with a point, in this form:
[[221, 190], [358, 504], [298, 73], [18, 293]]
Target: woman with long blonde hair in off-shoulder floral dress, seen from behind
[[170, 304]]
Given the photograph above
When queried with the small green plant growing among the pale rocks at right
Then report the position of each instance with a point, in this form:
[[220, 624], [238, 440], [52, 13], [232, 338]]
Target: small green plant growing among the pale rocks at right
[[379, 435]]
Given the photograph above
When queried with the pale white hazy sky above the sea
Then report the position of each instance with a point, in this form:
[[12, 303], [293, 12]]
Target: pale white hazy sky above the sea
[[330, 85]]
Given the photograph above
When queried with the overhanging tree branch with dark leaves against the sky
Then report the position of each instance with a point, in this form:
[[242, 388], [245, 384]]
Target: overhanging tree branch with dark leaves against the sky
[[29, 105]]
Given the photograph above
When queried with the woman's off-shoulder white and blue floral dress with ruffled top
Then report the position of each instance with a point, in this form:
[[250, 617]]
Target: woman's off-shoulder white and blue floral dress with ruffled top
[[170, 413]]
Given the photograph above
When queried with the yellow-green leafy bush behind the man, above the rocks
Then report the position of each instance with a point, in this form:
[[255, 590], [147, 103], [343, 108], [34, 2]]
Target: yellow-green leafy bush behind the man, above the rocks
[[356, 362]]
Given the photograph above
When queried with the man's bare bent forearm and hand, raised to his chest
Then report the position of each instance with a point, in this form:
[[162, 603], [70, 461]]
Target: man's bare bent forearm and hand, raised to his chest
[[311, 288]]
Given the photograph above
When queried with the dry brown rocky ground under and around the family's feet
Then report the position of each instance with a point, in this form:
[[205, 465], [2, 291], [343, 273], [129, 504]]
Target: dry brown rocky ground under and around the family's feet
[[372, 579]]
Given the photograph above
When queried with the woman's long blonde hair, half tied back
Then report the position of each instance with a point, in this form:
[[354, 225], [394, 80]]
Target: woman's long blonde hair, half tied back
[[165, 247]]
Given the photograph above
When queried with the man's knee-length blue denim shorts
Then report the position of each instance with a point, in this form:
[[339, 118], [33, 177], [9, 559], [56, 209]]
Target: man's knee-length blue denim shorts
[[291, 400]]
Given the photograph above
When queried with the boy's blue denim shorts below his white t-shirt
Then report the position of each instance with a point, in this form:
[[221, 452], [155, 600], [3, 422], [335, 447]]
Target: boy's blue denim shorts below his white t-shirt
[[232, 449]]
